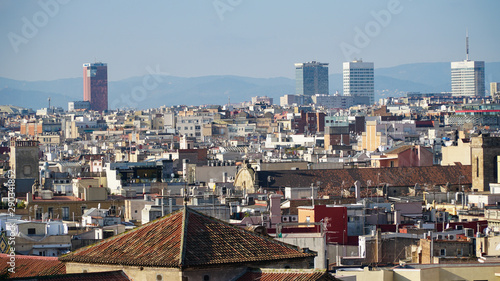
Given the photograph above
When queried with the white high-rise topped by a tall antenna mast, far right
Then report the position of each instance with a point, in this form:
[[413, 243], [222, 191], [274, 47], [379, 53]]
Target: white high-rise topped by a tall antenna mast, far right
[[467, 77]]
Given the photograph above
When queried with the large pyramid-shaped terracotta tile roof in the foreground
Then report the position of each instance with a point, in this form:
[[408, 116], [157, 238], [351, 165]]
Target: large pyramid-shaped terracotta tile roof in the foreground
[[185, 238]]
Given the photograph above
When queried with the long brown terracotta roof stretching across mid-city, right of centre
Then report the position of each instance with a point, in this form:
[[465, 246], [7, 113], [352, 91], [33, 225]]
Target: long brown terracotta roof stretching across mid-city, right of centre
[[399, 176]]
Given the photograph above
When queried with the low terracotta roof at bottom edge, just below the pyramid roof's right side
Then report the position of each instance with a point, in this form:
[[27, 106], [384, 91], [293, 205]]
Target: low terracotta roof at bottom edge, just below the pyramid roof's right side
[[286, 275]]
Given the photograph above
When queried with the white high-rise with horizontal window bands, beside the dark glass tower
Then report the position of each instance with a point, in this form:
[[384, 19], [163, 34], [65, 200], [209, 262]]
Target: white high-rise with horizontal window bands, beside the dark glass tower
[[359, 81]]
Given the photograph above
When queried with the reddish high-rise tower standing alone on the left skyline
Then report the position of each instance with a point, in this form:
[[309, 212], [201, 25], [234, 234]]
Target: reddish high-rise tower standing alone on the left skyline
[[95, 85]]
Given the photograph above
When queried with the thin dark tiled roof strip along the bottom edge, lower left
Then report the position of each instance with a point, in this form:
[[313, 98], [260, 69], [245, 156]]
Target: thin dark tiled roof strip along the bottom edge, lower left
[[93, 276]]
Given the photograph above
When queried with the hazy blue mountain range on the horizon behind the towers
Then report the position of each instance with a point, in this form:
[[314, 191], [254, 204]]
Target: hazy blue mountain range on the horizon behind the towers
[[219, 89]]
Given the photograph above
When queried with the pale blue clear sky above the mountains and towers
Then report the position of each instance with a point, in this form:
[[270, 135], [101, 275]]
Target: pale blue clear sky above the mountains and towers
[[51, 39]]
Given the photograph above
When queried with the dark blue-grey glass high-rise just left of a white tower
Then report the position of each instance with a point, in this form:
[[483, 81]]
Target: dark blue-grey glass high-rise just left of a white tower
[[311, 78]]
